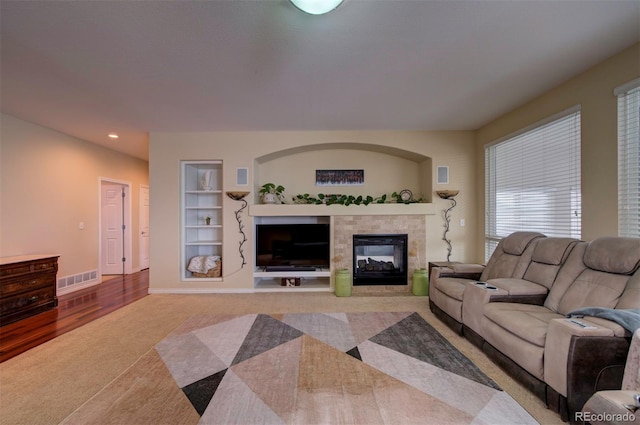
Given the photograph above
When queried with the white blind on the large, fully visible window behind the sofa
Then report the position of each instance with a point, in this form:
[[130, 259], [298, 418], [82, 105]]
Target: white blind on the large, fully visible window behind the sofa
[[532, 181]]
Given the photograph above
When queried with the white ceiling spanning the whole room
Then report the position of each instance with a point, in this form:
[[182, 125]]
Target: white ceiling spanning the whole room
[[87, 68]]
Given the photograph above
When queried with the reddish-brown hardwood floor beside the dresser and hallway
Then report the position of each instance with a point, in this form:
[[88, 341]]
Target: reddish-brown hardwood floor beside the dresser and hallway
[[74, 310]]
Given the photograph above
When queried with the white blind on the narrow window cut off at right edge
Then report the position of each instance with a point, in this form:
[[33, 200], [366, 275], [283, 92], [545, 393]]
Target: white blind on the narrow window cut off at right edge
[[629, 159]]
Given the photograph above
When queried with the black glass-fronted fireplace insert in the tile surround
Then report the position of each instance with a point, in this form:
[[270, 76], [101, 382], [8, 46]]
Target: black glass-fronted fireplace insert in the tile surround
[[380, 259]]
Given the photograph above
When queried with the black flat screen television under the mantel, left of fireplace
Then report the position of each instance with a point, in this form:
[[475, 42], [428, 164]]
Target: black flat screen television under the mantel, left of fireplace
[[292, 246]]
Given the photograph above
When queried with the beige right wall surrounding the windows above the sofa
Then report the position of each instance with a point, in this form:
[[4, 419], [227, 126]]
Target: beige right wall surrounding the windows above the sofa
[[593, 91]]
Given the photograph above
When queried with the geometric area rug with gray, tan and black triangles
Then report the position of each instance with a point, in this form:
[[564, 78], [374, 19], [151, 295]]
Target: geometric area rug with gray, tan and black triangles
[[329, 368]]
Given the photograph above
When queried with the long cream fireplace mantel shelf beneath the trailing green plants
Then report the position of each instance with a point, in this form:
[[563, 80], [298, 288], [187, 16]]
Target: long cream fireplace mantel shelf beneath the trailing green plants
[[264, 210]]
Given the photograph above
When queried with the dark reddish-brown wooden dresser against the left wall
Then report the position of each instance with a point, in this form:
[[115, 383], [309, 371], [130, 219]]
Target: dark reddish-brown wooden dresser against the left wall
[[27, 286]]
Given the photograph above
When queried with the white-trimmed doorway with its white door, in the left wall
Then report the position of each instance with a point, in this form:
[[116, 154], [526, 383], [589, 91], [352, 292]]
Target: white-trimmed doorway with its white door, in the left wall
[[115, 227]]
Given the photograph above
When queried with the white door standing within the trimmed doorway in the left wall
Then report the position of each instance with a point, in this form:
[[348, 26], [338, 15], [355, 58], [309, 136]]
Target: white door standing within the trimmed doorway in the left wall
[[112, 235]]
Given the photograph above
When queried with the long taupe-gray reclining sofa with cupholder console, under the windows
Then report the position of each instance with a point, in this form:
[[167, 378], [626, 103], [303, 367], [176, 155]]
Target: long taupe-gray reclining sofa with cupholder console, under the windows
[[518, 311]]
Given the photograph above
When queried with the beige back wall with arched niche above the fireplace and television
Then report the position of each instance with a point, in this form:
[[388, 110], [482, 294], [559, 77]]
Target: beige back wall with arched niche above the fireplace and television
[[392, 161]]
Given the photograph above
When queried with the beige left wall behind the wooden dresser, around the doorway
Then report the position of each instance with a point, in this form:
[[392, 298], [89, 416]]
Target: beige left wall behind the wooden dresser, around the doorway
[[49, 184]]
